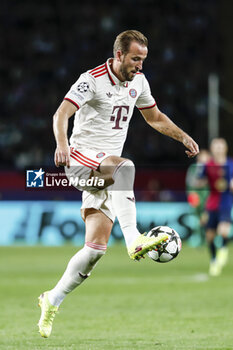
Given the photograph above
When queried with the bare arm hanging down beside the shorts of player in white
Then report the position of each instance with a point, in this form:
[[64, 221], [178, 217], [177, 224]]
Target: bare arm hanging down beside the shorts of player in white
[[60, 127]]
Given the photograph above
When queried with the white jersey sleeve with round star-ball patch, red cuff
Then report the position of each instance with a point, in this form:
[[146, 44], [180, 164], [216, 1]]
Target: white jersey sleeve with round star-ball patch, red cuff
[[81, 91]]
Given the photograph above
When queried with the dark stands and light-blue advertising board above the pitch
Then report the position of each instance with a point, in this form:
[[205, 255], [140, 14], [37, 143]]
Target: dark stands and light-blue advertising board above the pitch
[[45, 45]]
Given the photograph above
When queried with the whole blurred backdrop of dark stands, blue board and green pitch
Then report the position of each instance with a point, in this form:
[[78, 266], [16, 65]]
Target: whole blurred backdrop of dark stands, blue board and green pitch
[[45, 45]]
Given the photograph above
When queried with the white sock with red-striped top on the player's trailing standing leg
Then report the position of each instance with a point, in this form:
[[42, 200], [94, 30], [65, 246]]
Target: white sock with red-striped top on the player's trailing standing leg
[[78, 269]]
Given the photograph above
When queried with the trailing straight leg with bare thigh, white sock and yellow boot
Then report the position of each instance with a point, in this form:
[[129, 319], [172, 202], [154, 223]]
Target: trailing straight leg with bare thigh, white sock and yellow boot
[[98, 229]]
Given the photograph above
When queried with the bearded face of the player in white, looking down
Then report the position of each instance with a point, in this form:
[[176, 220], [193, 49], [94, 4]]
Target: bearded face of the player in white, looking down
[[132, 62]]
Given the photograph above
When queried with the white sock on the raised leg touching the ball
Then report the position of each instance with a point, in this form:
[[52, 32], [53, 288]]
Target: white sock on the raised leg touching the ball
[[123, 200]]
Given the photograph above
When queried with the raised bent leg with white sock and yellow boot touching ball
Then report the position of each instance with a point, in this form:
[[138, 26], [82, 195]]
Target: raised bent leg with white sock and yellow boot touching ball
[[123, 202]]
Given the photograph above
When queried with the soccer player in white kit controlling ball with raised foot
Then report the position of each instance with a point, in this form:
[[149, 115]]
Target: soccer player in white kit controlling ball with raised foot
[[103, 100]]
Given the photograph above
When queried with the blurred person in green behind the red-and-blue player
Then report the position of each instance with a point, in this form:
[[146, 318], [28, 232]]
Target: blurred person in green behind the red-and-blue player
[[197, 196]]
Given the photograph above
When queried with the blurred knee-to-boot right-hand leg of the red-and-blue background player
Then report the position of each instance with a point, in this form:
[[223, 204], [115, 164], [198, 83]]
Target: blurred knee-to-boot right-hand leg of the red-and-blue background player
[[223, 229]]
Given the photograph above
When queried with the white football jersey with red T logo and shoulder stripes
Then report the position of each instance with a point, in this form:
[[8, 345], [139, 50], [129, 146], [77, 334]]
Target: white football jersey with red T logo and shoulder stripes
[[105, 107]]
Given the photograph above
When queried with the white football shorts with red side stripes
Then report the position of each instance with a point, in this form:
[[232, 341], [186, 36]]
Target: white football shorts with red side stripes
[[82, 162]]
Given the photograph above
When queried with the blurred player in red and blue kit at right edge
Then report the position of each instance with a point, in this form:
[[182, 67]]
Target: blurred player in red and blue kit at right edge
[[218, 173]]
